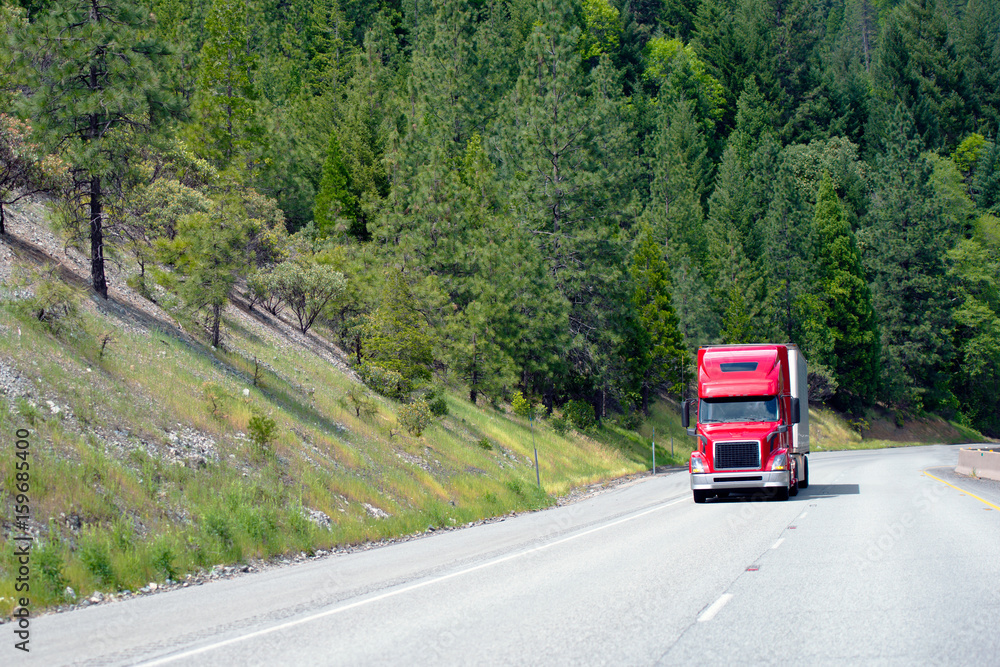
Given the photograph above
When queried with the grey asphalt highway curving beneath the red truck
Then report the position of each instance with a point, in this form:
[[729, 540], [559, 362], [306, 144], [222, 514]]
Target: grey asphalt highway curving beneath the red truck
[[888, 558]]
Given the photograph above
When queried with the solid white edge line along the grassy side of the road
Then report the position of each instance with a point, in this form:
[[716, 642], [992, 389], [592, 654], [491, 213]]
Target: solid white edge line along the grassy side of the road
[[331, 612]]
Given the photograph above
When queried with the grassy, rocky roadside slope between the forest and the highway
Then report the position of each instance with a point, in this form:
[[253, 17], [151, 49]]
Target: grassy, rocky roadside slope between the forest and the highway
[[144, 465]]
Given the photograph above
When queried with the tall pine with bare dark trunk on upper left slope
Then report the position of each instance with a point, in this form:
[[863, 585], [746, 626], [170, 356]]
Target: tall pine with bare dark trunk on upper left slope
[[95, 72]]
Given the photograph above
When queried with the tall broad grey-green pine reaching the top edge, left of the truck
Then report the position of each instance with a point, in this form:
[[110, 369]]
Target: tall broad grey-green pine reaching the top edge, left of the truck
[[563, 151]]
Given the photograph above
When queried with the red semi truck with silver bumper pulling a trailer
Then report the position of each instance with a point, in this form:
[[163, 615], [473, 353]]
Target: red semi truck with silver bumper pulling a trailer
[[752, 421]]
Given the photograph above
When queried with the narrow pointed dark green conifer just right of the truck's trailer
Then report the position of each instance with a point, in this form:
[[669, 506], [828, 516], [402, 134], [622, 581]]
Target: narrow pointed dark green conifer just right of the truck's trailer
[[847, 304]]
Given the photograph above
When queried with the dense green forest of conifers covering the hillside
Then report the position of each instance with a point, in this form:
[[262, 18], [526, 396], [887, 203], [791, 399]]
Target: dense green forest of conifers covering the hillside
[[562, 198]]
